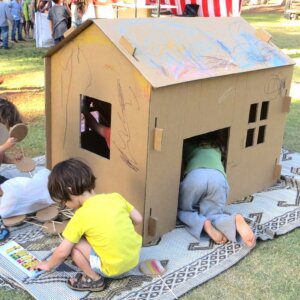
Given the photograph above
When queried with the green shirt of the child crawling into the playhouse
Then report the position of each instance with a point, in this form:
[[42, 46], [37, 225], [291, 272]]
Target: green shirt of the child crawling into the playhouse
[[197, 157]]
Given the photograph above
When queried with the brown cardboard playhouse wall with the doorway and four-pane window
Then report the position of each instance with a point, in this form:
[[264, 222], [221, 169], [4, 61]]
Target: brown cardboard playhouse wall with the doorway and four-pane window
[[194, 108]]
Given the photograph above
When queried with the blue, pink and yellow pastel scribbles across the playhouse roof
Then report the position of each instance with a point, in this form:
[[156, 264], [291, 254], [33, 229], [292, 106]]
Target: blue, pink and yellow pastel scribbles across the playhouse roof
[[184, 51]]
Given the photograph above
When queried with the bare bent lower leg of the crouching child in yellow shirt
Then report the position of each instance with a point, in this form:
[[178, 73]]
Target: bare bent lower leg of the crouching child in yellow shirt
[[81, 256]]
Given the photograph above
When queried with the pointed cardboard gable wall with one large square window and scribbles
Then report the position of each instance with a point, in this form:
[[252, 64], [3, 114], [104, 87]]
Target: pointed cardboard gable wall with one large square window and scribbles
[[93, 66]]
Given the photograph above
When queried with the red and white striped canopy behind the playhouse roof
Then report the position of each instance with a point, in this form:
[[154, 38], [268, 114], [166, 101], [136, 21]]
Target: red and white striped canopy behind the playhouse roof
[[208, 8]]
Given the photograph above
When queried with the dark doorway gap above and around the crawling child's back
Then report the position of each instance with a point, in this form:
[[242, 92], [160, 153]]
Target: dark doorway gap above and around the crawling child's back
[[218, 138]]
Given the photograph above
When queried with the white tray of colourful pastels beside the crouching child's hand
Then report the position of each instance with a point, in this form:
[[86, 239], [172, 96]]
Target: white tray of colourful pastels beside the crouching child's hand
[[21, 258]]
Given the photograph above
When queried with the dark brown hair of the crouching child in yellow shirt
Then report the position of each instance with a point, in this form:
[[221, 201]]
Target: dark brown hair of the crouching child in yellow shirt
[[70, 177]]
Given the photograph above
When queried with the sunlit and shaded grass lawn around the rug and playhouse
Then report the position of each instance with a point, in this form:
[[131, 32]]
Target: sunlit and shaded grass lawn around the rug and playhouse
[[272, 270]]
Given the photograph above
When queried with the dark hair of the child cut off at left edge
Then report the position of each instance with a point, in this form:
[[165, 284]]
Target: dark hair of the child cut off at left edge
[[9, 114]]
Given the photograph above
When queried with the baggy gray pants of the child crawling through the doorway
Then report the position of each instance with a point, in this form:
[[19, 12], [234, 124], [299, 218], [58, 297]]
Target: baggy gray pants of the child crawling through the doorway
[[203, 195]]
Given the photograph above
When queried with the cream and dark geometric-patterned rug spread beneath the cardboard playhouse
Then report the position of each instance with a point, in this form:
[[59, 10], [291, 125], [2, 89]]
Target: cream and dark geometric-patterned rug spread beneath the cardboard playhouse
[[190, 263]]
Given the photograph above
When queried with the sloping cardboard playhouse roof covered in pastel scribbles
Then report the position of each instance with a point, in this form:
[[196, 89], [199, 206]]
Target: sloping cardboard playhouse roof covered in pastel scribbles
[[175, 50]]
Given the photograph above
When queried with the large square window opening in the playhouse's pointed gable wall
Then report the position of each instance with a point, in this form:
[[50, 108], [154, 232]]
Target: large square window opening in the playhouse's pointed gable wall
[[95, 123]]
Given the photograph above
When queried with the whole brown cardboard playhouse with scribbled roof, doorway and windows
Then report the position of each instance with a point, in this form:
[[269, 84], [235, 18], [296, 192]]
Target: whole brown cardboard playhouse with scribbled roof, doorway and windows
[[156, 83]]
